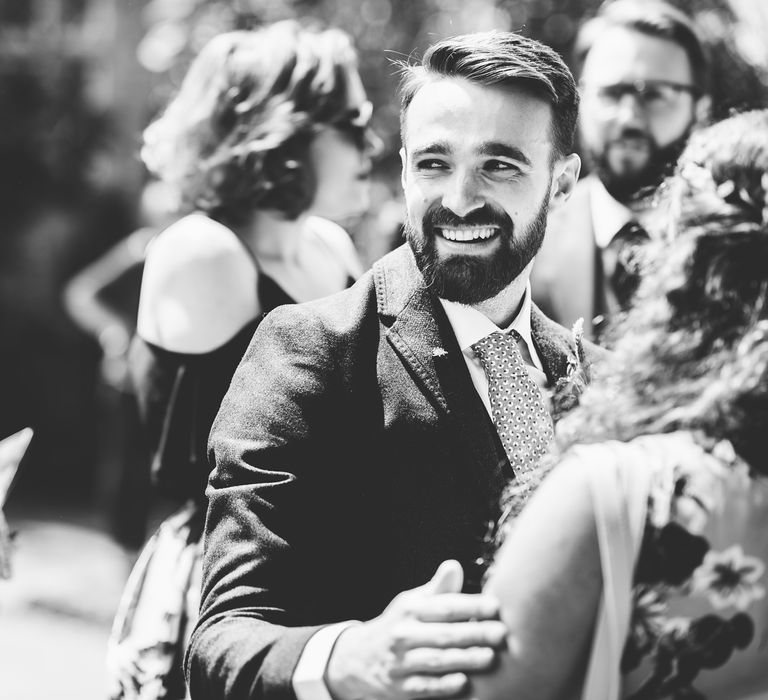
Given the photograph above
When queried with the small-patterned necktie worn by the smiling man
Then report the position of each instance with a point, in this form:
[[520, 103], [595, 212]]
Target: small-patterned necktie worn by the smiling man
[[522, 420]]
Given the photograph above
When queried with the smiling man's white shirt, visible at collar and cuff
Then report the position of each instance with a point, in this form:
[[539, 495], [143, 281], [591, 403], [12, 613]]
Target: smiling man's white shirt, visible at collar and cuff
[[469, 326]]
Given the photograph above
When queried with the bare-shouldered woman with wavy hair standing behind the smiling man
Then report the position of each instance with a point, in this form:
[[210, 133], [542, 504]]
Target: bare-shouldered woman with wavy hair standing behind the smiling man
[[265, 144]]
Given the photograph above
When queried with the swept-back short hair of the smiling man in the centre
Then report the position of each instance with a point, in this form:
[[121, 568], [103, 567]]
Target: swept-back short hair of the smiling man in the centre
[[501, 59]]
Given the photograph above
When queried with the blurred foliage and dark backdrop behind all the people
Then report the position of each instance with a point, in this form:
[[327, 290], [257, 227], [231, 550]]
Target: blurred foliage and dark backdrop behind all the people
[[79, 80]]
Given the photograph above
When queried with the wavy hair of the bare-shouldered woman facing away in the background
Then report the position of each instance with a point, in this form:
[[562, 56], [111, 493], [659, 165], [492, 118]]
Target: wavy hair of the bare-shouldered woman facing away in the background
[[236, 136]]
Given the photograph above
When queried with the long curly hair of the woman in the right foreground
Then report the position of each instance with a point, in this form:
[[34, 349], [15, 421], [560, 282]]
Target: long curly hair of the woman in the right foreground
[[693, 351]]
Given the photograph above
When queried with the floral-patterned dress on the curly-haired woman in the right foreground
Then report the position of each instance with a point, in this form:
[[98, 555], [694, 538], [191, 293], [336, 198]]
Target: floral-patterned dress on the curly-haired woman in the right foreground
[[683, 529]]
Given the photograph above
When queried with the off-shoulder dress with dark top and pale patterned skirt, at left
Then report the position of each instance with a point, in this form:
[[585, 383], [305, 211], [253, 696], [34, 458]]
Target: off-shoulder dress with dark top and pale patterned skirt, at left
[[179, 395]]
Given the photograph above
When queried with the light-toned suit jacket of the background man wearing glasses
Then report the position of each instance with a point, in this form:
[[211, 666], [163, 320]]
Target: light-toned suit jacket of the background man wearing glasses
[[563, 277]]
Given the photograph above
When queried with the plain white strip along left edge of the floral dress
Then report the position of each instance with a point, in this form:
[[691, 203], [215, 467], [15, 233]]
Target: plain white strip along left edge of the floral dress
[[619, 481]]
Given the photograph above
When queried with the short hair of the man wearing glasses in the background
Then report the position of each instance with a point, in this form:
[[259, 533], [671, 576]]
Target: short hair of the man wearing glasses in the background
[[657, 19]]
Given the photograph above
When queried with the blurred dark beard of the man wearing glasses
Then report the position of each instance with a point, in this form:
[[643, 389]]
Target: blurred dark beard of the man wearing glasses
[[628, 186]]
